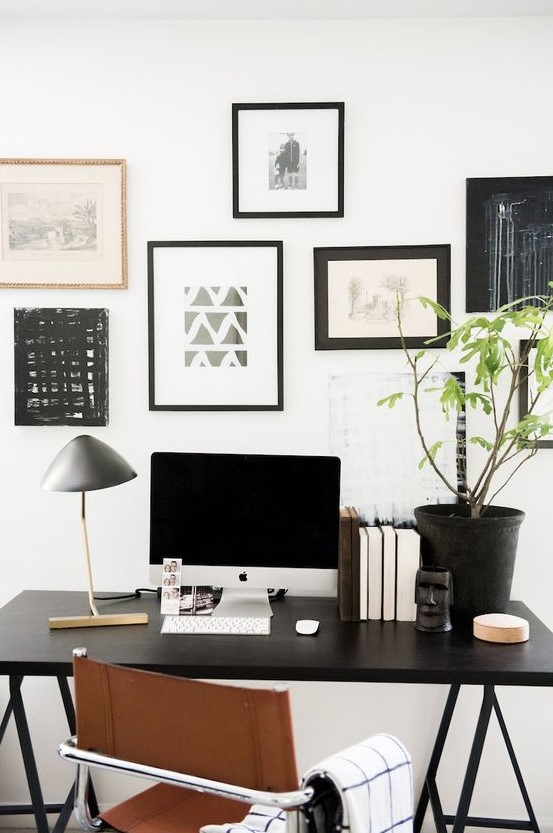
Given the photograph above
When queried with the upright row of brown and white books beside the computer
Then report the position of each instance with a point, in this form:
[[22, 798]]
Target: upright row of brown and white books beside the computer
[[377, 570]]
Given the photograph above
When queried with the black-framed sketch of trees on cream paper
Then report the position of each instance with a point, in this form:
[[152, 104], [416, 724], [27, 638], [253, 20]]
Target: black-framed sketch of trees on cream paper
[[357, 290]]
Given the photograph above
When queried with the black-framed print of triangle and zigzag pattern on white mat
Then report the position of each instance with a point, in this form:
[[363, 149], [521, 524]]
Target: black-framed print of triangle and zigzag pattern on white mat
[[215, 325]]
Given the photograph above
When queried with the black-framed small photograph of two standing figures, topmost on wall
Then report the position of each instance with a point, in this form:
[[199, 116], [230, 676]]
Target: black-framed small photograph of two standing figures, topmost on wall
[[288, 160]]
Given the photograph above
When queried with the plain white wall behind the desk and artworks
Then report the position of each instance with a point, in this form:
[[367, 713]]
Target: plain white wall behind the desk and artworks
[[428, 103]]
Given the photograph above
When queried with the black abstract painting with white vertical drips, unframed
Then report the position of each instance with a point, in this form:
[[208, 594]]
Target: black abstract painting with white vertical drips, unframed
[[509, 240]]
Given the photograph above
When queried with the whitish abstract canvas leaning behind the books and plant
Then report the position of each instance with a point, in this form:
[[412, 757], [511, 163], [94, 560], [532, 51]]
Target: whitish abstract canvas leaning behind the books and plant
[[380, 450]]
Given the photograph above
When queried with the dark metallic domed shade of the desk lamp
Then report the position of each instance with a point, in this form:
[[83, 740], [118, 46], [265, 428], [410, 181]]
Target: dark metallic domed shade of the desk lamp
[[86, 464]]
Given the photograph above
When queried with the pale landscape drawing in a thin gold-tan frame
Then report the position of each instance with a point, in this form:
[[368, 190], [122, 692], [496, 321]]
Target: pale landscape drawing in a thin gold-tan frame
[[62, 223]]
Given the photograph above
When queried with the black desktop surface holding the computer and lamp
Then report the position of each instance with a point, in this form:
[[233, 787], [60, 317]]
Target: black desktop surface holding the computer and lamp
[[341, 651]]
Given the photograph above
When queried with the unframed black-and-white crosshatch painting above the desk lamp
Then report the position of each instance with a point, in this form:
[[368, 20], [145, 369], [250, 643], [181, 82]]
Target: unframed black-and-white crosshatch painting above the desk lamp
[[61, 366]]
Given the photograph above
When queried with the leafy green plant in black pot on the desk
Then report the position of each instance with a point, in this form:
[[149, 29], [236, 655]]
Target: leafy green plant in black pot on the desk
[[500, 352]]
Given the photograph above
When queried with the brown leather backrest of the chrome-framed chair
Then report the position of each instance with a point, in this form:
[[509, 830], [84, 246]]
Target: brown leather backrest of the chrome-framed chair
[[227, 733]]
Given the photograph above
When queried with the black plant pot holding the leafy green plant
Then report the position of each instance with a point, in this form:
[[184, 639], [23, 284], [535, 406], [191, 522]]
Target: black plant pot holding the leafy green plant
[[479, 552]]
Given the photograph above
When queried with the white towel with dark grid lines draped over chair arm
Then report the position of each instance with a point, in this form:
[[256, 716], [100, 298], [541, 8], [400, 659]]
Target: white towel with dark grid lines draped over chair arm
[[374, 780]]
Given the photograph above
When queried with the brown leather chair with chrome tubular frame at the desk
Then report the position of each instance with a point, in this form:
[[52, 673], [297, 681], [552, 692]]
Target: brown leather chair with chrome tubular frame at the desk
[[211, 749]]
